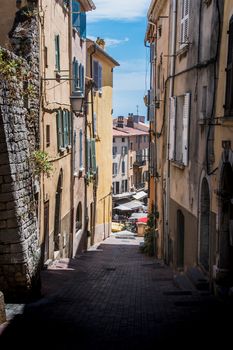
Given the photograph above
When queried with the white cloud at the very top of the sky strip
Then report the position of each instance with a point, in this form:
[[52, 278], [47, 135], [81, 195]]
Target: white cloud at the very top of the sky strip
[[127, 10]]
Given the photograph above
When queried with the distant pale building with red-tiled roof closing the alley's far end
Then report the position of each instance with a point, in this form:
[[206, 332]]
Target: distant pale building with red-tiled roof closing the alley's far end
[[130, 155]]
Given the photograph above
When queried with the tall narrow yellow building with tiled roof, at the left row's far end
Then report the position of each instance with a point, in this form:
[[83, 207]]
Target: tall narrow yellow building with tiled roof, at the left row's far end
[[99, 141]]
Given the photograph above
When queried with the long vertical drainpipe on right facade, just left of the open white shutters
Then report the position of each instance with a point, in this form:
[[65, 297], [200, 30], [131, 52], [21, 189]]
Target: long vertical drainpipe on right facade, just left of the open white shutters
[[171, 92]]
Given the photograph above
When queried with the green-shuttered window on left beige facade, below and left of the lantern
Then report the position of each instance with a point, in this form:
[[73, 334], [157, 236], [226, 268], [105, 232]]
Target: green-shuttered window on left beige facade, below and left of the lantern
[[63, 128]]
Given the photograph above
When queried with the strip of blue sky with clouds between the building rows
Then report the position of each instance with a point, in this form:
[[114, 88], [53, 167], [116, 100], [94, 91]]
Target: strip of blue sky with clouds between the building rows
[[122, 23]]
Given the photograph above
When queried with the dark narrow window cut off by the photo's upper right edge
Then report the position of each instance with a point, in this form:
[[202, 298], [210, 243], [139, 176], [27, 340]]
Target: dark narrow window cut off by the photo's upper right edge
[[229, 73]]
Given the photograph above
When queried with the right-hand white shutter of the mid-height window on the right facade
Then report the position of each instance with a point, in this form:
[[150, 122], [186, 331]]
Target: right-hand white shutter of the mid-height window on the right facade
[[185, 141]]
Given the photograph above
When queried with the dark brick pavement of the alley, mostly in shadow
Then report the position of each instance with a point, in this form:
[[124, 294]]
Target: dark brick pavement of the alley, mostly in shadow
[[115, 297]]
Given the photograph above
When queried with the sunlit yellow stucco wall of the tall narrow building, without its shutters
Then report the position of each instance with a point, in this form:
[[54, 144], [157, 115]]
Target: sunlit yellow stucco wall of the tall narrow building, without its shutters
[[103, 109]]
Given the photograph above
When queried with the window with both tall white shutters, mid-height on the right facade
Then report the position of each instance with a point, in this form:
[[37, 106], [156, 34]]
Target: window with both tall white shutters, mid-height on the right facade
[[179, 128]]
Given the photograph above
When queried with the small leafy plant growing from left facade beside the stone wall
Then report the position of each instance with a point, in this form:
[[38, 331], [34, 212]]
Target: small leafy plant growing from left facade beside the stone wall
[[41, 163]]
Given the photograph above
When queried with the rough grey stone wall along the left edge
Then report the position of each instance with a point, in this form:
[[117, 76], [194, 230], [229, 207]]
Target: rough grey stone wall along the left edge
[[19, 120]]
